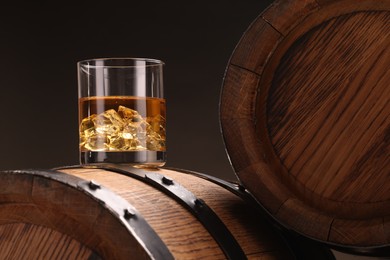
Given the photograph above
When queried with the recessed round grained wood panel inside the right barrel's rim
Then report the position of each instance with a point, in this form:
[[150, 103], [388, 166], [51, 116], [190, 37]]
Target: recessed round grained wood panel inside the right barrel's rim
[[330, 129]]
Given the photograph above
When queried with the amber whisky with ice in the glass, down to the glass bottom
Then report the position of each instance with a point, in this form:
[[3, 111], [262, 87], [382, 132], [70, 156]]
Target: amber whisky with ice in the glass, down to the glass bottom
[[122, 129]]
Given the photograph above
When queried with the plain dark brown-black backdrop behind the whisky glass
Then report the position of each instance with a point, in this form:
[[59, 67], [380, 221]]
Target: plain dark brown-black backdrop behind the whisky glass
[[42, 42]]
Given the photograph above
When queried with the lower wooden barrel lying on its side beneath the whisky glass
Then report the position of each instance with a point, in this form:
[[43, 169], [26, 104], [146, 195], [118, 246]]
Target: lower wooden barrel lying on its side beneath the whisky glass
[[117, 212]]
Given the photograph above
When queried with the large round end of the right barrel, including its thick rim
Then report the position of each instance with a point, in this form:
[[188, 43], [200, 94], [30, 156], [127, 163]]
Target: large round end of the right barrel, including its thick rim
[[304, 113]]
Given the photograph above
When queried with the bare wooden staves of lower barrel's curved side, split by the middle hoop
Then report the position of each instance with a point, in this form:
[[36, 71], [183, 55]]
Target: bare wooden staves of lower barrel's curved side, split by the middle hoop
[[185, 237]]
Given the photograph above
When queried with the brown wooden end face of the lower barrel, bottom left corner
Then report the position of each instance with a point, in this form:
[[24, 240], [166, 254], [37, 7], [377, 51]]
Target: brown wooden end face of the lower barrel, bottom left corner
[[49, 219]]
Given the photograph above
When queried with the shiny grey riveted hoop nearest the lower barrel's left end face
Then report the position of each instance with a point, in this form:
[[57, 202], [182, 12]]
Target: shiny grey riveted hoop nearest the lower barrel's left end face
[[127, 214]]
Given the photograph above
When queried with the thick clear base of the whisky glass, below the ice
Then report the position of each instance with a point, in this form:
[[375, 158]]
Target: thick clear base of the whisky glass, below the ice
[[145, 159]]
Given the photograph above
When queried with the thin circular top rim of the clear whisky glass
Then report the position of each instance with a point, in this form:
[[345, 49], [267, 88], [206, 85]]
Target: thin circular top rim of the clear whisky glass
[[149, 62]]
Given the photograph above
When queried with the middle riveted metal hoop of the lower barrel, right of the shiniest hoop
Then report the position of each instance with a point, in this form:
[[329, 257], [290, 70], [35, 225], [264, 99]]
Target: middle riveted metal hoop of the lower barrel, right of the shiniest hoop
[[206, 216]]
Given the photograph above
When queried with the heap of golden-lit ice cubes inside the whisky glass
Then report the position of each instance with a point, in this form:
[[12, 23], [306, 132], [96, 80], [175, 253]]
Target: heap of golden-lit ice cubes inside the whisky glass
[[125, 130]]
